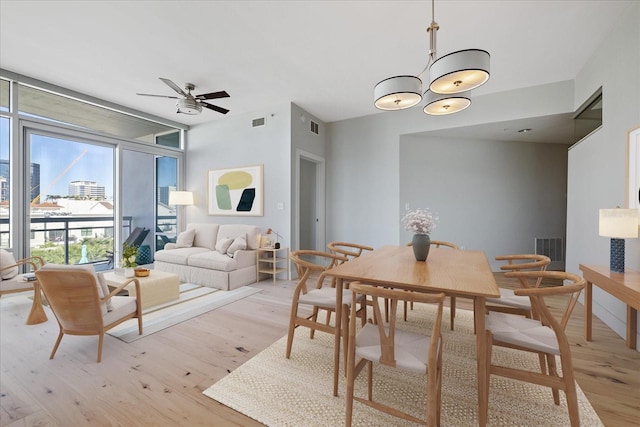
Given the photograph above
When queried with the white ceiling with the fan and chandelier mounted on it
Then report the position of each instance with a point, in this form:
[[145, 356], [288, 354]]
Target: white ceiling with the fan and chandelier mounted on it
[[325, 56]]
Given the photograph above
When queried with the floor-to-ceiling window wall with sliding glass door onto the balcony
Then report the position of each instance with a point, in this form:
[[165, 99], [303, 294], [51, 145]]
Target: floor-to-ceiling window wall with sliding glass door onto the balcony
[[71, 177]]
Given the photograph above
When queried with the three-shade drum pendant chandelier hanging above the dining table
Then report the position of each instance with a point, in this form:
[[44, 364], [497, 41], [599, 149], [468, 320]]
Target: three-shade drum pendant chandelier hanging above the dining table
[[450, 78]]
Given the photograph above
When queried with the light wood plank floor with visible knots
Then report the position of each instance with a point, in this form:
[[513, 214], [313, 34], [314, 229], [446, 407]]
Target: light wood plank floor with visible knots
[[158, 380]]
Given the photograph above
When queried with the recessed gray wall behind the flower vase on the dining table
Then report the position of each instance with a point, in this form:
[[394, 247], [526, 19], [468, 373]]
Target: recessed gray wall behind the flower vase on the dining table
[[489, 195]]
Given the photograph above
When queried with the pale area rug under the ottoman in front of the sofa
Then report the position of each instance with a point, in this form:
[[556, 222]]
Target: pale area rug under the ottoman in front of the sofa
[[194, 300]]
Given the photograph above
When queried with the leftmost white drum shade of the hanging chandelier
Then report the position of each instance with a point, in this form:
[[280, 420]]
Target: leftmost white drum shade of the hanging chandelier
[[398, 93]]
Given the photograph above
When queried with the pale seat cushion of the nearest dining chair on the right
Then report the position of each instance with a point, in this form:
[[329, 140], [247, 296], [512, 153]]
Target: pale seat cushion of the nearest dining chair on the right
[[518, 330]]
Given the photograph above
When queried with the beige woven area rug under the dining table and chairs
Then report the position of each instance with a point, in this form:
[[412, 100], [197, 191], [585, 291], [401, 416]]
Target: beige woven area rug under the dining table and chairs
[[299, 391]]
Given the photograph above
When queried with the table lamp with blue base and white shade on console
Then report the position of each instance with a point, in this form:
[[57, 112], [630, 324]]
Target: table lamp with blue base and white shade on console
[[619, 224]]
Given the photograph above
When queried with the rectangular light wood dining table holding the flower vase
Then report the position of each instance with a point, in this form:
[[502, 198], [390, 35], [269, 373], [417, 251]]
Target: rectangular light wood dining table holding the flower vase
[[456, 273]]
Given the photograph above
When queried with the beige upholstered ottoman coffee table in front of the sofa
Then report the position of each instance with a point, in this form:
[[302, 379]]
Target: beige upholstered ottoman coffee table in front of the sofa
[[156, 288]]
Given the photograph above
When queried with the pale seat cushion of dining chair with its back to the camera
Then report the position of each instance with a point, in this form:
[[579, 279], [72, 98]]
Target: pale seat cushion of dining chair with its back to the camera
[[410, 348]]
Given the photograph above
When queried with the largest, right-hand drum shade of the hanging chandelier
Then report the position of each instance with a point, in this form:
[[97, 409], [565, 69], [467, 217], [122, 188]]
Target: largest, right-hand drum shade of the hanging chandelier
[[459, 71]]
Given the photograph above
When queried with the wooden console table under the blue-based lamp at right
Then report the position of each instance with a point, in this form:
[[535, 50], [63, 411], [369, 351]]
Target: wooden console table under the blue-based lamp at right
[[624, 286]]
